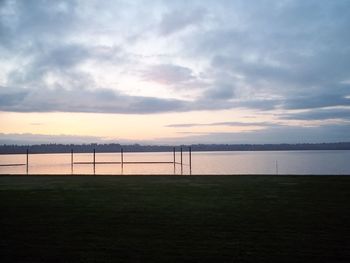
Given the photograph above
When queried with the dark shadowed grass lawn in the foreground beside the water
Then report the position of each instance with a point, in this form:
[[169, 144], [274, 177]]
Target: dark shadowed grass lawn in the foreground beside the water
[[175, 219]]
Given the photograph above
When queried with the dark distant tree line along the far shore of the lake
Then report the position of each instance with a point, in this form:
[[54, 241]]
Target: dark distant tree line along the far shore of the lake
[[114, 147]]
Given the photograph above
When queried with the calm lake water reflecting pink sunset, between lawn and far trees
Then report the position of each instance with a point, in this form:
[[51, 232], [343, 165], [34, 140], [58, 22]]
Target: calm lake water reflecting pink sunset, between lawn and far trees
[[265, 162]]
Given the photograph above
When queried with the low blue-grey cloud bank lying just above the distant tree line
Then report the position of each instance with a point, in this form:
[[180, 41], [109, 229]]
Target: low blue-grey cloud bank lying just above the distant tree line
[[274, 134]]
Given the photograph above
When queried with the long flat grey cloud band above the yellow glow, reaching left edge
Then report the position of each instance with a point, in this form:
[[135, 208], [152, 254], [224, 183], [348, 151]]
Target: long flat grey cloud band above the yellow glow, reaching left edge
[[84, 100]]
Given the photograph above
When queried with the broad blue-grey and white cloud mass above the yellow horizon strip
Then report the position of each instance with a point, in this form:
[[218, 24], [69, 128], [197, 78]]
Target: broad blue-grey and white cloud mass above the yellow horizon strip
[[61, 55]]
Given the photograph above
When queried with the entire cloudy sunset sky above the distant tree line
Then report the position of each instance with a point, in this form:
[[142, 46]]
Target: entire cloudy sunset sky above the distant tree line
[[174, 72]]
